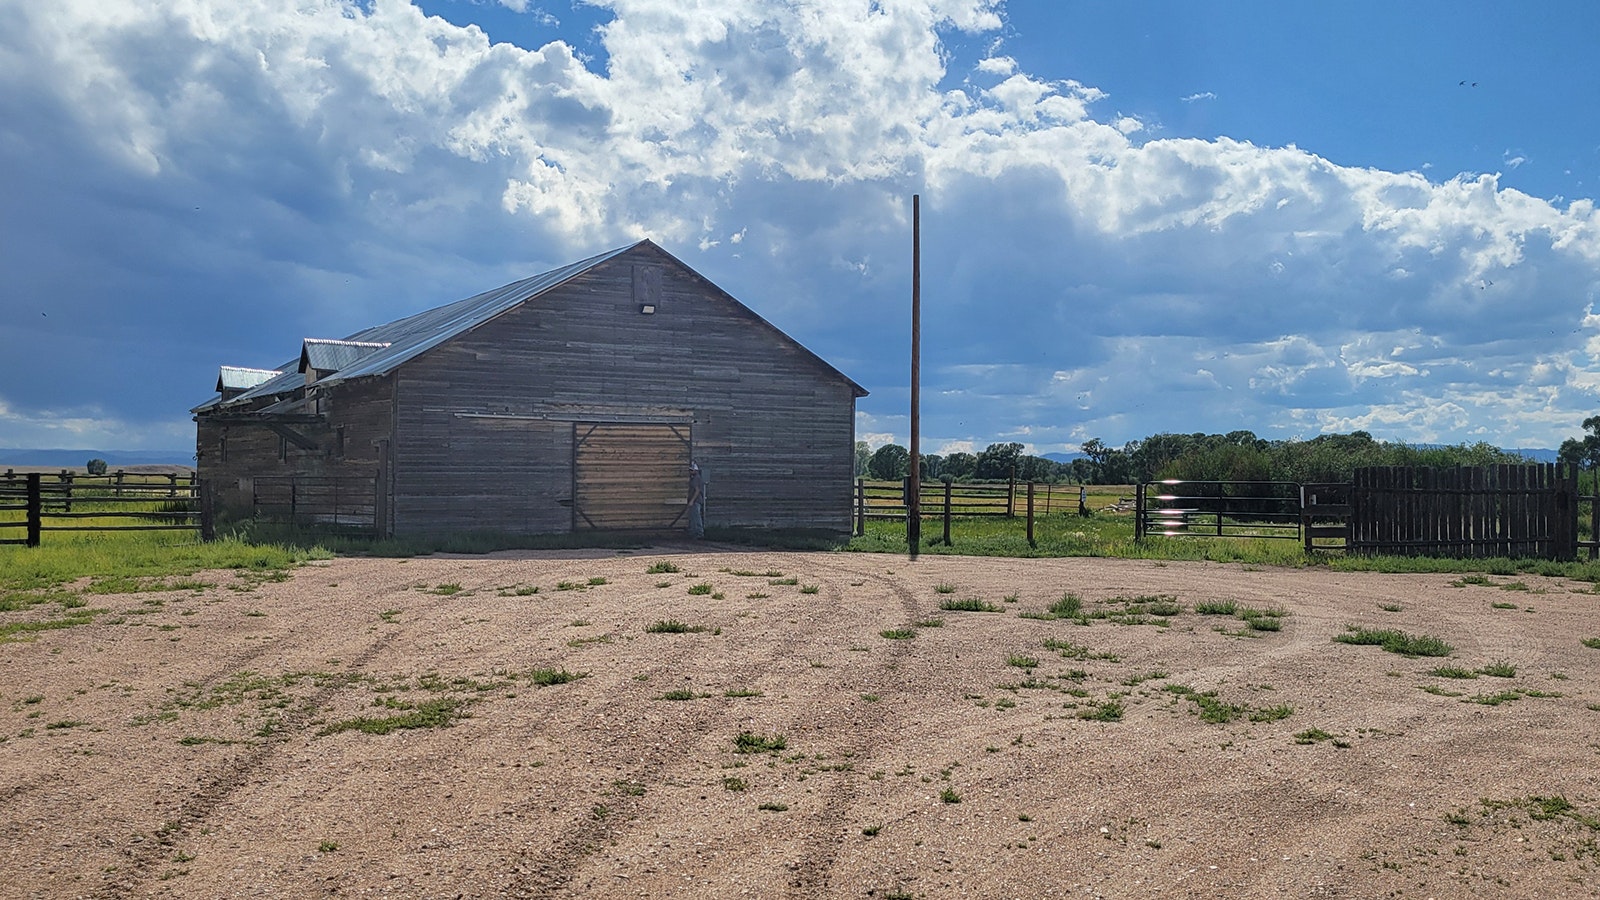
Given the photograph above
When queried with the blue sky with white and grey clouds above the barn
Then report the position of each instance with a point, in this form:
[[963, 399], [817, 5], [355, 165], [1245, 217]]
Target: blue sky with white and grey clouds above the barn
[[1292, 219]]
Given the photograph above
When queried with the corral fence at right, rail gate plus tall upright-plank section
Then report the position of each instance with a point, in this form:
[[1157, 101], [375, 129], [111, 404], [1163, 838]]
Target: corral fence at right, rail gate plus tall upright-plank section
[[1466, 512]]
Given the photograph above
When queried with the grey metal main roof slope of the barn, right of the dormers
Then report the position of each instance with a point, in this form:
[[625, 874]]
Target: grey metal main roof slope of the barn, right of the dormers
[[418, 334]]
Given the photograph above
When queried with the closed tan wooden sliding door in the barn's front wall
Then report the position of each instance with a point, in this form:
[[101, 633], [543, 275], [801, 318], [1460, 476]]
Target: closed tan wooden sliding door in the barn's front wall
[[630, 476]]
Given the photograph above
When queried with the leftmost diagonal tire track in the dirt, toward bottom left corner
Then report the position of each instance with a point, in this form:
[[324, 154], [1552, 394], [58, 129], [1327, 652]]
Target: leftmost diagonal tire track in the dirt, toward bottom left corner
[[201, 805]]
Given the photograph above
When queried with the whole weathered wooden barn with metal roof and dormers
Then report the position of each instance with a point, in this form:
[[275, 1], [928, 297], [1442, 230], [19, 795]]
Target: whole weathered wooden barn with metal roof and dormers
[[566, 403]]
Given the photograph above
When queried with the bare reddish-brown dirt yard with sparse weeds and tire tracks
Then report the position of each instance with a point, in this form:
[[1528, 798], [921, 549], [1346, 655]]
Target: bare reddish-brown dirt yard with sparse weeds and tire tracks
[[209, 742]]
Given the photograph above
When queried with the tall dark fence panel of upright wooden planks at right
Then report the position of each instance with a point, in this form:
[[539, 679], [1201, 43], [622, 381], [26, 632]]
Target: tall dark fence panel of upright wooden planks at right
[[1468, 512]]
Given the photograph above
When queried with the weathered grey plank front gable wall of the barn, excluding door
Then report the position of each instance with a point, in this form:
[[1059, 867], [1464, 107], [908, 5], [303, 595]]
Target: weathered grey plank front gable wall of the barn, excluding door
[[484, 422]]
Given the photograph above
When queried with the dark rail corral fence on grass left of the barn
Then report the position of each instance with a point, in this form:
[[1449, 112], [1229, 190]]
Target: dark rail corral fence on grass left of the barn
[[33, 504]]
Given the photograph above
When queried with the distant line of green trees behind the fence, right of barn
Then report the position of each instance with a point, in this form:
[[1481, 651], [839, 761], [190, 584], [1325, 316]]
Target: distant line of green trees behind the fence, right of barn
[[1238, 456]]
